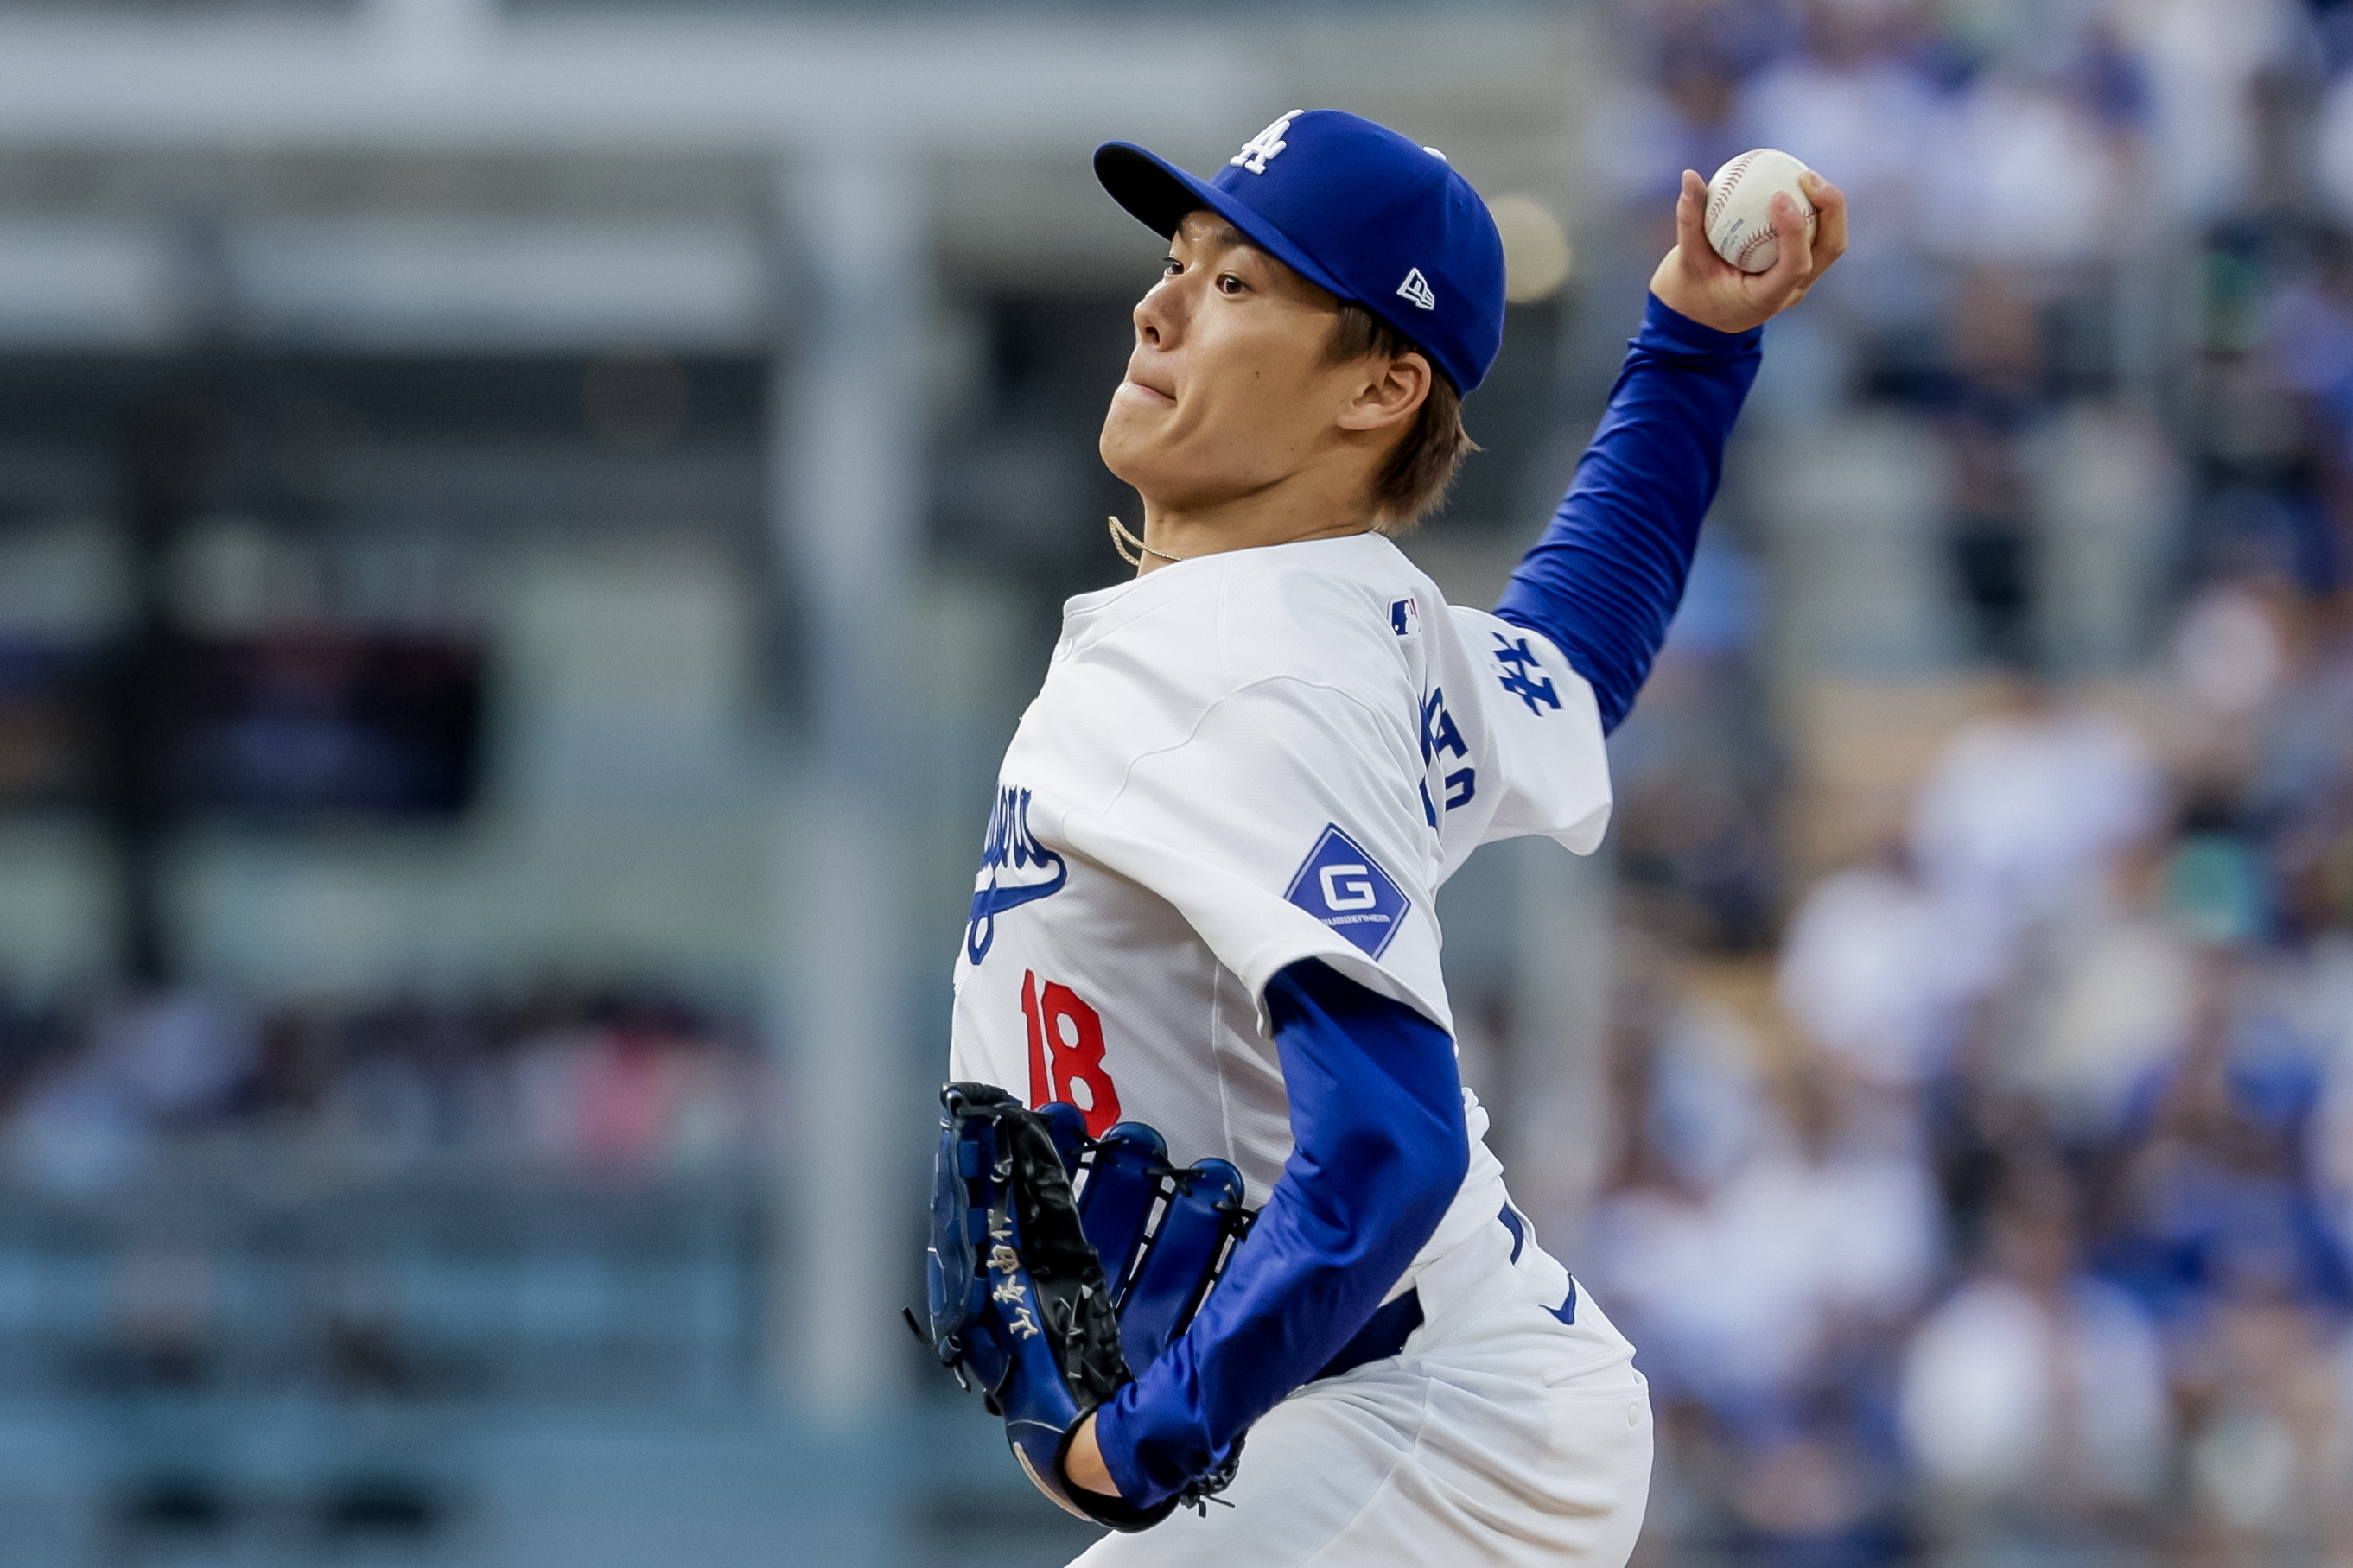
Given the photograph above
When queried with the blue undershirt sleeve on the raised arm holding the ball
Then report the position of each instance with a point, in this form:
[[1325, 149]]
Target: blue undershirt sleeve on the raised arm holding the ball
[[1608, 575]]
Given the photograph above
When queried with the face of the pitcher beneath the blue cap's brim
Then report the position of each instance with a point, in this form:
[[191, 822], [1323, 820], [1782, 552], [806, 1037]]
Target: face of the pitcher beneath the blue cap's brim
[[1227, 387]]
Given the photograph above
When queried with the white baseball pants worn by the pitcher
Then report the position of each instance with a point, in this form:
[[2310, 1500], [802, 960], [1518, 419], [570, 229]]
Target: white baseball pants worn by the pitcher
[[1500, 1435]]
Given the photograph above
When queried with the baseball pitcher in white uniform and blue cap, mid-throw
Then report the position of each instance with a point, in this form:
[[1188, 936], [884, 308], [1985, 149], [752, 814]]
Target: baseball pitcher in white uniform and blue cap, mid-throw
[[1208, 1170]]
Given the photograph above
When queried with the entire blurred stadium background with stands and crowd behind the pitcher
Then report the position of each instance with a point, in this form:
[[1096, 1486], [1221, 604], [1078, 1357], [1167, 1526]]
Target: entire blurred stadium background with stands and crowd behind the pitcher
[[524, 530]]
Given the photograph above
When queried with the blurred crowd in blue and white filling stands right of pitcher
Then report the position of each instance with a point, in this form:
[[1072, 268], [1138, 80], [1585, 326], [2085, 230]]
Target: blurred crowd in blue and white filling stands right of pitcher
[[2018, 1217]]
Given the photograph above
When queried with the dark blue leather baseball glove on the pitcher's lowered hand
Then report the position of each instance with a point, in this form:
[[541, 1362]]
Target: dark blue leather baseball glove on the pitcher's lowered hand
[[1051, 1299]]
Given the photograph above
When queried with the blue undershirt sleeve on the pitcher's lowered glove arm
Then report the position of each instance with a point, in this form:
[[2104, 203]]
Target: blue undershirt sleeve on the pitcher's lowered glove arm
[[1380, 1153]]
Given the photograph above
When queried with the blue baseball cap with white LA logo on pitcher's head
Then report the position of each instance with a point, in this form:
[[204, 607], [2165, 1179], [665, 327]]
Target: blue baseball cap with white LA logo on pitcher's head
[[1354, 208]]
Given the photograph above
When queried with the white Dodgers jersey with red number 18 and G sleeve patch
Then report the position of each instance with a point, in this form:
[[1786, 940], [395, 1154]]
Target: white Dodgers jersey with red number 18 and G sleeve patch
[[1234, 765]]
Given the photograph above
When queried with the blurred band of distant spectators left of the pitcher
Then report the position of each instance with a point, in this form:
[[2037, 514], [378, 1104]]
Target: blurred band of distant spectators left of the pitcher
[[604, 1085]]
